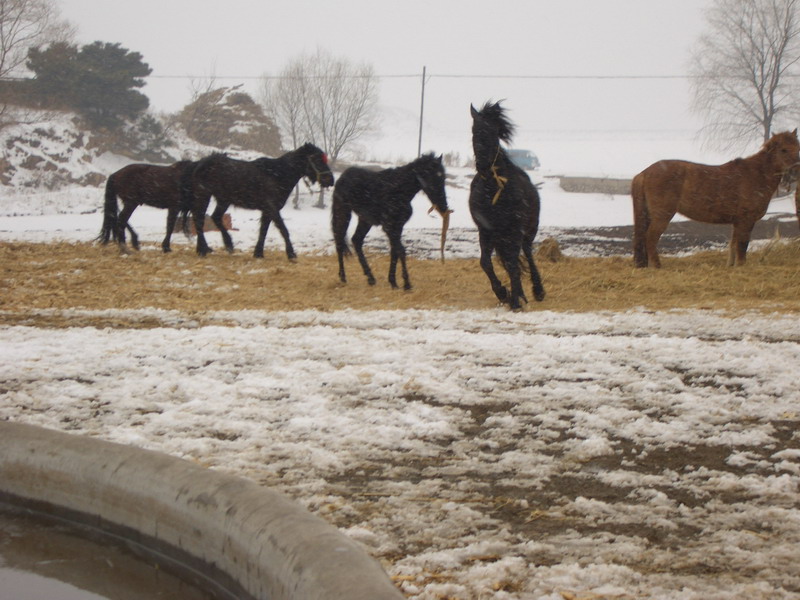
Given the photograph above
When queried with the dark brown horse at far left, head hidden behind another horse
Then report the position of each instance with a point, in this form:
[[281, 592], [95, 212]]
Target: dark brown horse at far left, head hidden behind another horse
[[154, 185]]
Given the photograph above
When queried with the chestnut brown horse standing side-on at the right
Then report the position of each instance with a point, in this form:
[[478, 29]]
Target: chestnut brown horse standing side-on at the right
[[737, 193]]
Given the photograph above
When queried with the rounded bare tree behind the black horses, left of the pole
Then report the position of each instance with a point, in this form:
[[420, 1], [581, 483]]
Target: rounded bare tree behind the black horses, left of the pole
[[328, 101]]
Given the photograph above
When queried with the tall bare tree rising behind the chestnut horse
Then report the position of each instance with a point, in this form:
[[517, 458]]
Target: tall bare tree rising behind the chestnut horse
[[745, 69]]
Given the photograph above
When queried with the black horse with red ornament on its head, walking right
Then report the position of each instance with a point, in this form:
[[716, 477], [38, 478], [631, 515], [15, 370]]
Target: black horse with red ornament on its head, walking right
[[263, 184]]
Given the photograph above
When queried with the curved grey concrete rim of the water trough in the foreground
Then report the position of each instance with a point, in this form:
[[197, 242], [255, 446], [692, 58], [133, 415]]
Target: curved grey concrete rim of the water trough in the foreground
[[271, 547]]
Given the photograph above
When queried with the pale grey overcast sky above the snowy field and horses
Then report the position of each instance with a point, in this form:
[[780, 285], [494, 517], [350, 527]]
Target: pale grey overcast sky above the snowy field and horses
[[245, 39]]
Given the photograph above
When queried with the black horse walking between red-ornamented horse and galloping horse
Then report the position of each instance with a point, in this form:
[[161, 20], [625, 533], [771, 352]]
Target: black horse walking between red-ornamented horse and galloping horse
[[384, 198]]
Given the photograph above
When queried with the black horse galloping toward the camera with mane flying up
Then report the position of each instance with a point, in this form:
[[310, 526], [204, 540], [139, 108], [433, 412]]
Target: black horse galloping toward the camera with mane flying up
[[504, 205]]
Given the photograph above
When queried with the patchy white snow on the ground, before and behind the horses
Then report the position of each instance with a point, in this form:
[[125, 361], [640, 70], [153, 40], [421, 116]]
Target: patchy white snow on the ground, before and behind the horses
[[478, 454]]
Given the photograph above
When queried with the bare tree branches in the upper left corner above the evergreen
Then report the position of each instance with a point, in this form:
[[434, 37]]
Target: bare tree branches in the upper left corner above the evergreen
[[25, 24]]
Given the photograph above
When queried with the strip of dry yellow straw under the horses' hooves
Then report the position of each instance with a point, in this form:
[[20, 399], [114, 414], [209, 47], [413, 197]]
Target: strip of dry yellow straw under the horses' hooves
[[81, 275]]
